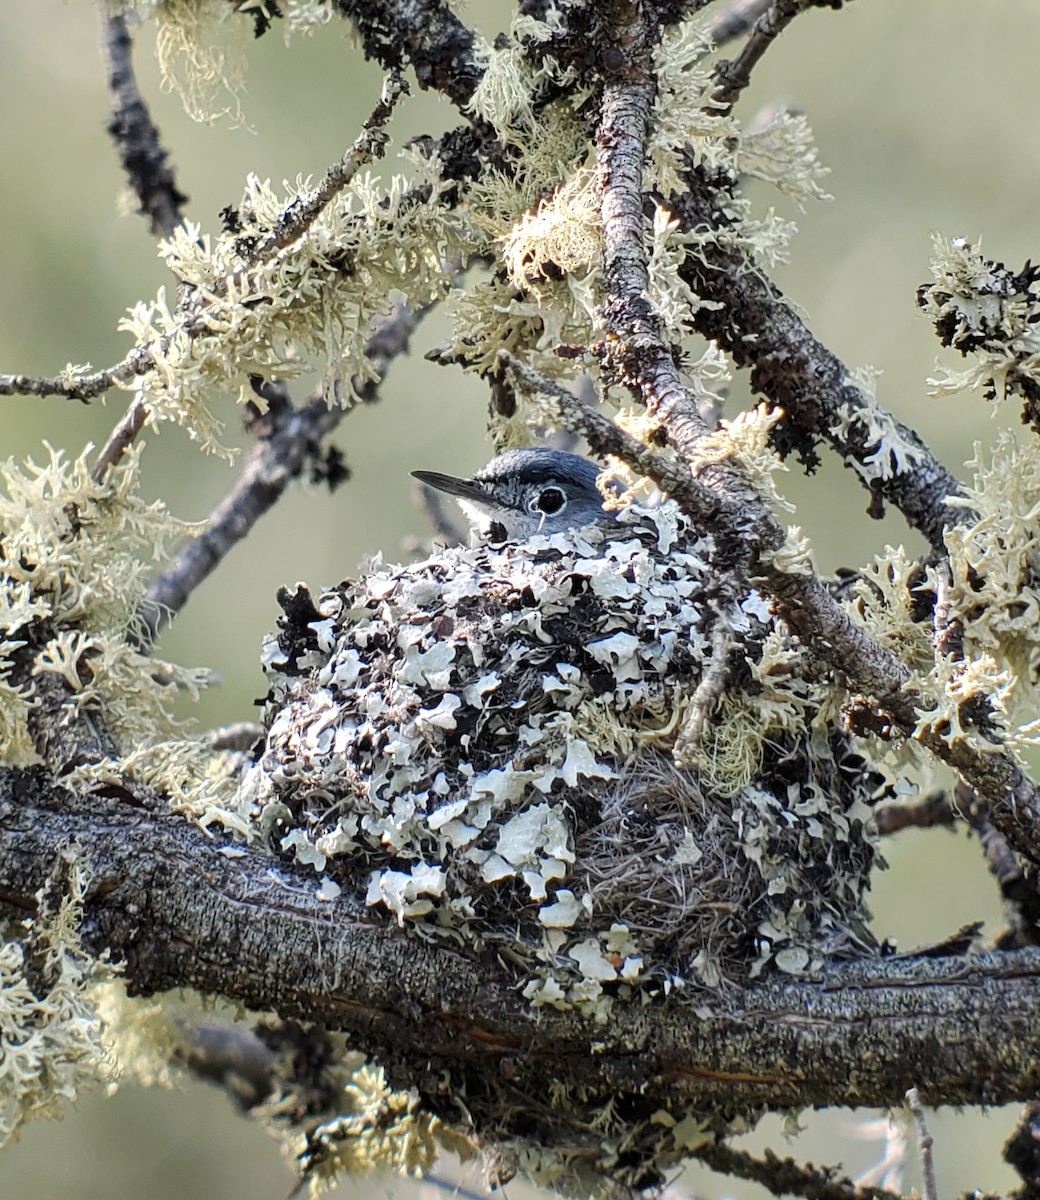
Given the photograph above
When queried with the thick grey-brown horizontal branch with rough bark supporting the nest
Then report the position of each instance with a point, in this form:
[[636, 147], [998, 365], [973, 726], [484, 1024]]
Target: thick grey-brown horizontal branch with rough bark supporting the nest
[[165, 902]]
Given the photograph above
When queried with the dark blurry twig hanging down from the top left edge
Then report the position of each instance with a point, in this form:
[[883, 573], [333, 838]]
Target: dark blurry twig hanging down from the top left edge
[[135, 134]]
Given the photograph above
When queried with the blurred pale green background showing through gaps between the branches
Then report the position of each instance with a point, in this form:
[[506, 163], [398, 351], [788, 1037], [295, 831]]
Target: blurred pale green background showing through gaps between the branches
[[925, 111]]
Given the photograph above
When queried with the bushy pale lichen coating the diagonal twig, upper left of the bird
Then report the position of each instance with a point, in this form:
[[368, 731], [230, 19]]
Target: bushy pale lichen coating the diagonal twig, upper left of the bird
[[310, 303]]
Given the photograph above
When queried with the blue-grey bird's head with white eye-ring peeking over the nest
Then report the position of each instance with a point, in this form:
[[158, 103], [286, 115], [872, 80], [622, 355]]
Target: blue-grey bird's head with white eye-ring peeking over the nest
[[526, 493]]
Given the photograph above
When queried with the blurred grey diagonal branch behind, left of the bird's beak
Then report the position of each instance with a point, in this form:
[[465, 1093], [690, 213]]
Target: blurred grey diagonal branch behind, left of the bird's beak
[[270, 467]]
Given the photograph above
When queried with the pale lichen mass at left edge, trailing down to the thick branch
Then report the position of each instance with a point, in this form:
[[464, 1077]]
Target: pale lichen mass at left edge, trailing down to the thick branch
[[76, 556]]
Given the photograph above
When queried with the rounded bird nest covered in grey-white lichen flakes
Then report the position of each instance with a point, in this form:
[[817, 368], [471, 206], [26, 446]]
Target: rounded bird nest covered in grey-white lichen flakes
[[501, 747]]
